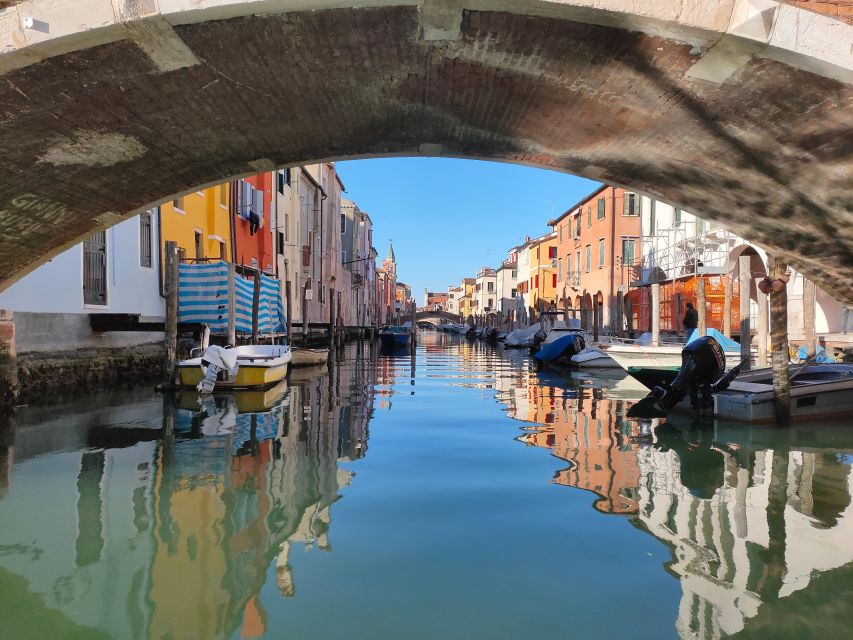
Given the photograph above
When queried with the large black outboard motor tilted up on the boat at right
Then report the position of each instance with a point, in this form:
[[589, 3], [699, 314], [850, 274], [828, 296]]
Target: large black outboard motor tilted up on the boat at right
[[703, 365]]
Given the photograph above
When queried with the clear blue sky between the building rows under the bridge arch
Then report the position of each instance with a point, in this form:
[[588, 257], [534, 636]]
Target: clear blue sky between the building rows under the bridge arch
[[449, 217]]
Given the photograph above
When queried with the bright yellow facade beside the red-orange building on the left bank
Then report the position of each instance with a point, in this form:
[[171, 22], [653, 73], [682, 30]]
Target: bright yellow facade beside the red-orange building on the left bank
[[200, 223]]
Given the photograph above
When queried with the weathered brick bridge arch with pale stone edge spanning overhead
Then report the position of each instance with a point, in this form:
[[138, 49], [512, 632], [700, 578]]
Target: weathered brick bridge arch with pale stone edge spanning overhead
[[738, 110]]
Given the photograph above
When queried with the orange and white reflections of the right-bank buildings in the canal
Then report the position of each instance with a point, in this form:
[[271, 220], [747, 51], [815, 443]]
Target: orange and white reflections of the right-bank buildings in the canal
[[751, 514]]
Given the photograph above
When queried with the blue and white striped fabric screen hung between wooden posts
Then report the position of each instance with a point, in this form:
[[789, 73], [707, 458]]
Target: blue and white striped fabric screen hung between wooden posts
[[203, 298]]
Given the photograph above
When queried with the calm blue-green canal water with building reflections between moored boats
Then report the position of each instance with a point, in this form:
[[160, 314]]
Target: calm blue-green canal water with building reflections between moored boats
[[452, 492]]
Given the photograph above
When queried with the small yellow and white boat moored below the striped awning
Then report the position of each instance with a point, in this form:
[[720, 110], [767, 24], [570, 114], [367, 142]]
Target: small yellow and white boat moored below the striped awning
[[245, 367]]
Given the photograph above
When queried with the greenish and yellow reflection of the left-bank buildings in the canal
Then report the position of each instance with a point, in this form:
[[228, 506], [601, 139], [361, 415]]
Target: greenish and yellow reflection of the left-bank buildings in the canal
[[175, 537]]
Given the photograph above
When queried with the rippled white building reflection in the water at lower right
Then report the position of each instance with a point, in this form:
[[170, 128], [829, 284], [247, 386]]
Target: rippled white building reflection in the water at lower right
[[745, 528]]
